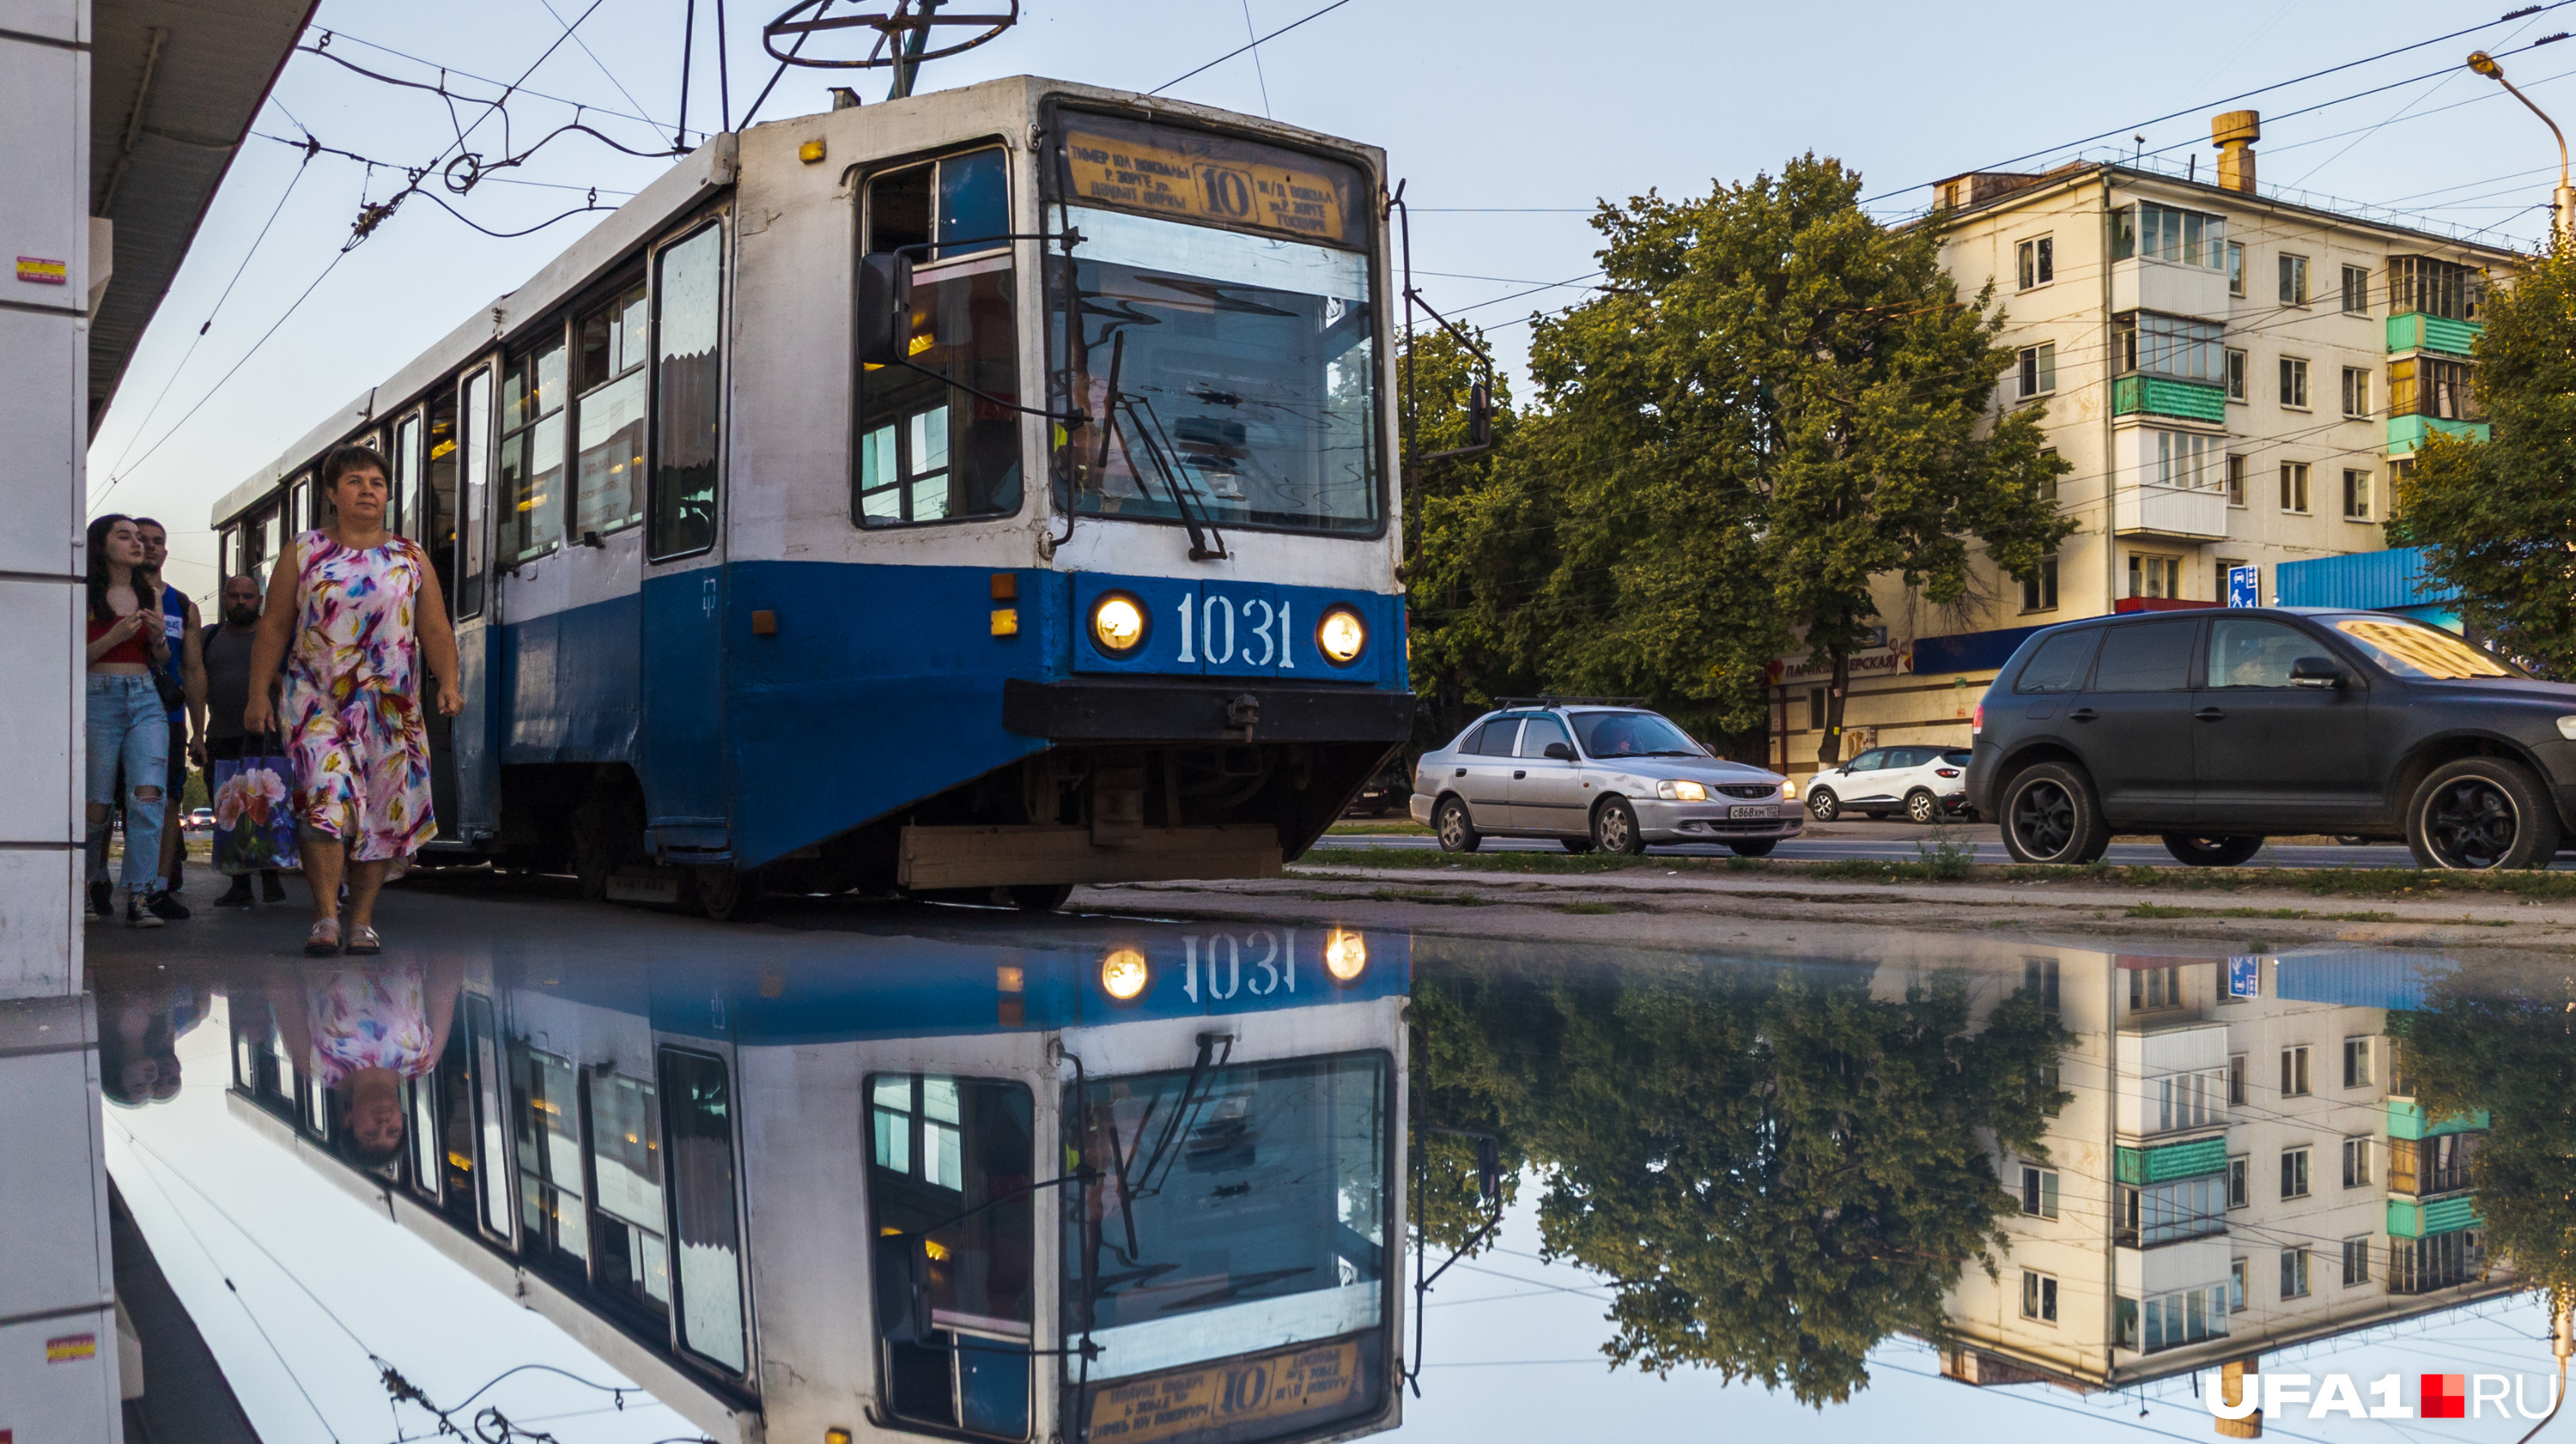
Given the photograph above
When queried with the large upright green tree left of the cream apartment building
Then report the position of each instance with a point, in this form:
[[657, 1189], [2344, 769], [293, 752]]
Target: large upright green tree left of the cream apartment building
[[1774, 403]]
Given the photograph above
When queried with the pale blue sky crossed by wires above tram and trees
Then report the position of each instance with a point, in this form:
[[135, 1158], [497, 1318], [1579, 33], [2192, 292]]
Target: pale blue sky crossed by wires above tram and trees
[[1508, 120]]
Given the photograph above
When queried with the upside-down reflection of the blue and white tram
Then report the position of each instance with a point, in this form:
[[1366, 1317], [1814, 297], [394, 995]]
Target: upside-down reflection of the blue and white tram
[[1104, 1183]]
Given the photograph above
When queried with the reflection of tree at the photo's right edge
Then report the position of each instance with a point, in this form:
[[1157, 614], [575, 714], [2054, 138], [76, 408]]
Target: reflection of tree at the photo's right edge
[[2508, 1046]]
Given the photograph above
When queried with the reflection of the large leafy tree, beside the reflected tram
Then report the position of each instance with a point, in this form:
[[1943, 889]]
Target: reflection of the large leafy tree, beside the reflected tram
[[1774, 1167]]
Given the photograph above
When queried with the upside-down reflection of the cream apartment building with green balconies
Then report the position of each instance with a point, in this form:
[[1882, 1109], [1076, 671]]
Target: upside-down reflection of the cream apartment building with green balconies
[[2240, 1170]]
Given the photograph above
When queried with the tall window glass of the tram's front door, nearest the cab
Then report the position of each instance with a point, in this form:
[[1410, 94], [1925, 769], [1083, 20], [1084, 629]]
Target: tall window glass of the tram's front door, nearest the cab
[[689, 395]]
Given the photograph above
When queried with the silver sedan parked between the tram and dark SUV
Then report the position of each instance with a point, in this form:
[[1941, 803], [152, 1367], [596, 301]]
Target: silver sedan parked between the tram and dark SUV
[[1596, 779]]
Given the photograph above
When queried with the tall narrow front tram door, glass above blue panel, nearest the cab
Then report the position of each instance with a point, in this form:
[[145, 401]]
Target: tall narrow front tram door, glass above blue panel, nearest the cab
[[681, 748]]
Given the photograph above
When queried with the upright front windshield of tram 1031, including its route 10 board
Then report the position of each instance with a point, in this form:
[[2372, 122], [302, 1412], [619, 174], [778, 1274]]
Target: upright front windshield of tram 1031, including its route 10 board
[[1227, 284]]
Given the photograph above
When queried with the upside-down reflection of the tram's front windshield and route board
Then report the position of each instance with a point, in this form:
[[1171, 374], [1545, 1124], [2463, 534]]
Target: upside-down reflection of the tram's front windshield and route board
[[1240, 1219]]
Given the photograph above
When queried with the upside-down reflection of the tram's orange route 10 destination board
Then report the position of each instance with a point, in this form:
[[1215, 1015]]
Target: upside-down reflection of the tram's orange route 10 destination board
[[1233, 1399]]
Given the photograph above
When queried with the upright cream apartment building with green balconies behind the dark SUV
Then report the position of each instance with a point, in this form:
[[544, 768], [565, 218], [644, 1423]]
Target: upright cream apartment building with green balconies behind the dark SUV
[[2235, 380]]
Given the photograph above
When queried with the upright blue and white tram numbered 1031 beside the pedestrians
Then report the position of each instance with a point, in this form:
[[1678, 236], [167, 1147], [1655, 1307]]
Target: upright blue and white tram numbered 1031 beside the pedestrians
[[1070, 562]]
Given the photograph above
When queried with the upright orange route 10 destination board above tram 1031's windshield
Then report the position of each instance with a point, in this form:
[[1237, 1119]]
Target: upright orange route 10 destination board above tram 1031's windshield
[[1209, 179]]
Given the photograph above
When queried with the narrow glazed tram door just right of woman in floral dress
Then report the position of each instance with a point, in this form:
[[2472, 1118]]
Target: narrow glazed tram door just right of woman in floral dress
[[473, 761]]
